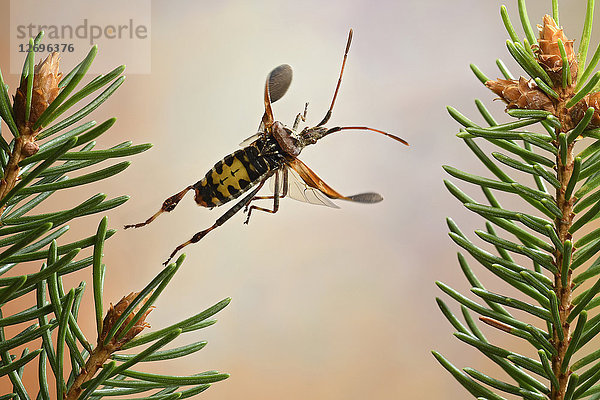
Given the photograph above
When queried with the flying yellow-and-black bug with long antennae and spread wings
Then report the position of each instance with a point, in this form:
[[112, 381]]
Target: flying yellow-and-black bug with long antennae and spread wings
[[272, 152]]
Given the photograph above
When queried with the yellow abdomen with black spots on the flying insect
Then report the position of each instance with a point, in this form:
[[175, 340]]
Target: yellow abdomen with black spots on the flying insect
[[232, 176]]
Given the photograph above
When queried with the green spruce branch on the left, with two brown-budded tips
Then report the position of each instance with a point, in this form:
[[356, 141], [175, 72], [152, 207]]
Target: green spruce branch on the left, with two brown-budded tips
[[34, 162]]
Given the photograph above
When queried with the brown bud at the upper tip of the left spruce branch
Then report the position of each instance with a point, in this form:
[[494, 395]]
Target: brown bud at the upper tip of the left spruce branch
[[45, 89]]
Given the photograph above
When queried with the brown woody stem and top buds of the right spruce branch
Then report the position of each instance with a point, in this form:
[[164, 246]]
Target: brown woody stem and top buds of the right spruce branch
[[525, 94]]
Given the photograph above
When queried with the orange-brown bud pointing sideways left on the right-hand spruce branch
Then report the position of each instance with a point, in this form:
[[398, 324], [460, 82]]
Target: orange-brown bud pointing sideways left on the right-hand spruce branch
[[522, 94]]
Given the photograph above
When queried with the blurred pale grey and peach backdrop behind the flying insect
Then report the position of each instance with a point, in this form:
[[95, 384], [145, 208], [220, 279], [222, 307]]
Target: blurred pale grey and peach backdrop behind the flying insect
[[327, 304]]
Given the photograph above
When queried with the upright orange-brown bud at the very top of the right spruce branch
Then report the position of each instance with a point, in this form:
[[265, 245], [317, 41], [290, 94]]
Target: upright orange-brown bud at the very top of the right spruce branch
[[548, 51]]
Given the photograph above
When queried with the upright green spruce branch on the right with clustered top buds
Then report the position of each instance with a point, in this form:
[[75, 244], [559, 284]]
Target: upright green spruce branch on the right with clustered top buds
[[561, 95]]
